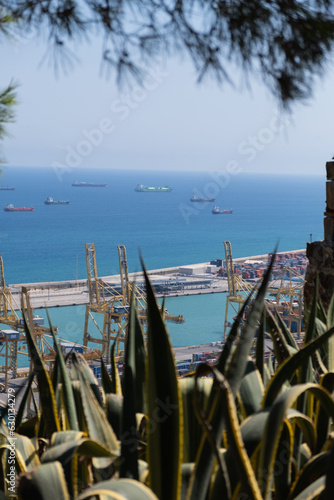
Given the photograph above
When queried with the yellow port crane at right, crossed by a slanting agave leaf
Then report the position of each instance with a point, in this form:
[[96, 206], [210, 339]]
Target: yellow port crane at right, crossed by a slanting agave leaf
[[285, 292]]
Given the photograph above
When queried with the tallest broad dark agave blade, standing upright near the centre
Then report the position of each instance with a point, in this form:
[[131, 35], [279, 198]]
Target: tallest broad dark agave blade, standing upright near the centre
[[164, 406]]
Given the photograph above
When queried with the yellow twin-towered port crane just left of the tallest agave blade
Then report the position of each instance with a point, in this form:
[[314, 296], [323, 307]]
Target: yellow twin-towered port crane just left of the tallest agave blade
[[113, 305]]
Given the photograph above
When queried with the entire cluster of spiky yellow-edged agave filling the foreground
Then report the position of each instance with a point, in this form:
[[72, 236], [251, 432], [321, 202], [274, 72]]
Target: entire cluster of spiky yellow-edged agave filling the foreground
[[242, 428]]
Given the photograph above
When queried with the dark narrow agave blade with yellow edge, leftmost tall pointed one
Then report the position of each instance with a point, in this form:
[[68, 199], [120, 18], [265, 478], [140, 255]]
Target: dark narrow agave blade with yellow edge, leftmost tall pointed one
[[46, 393]]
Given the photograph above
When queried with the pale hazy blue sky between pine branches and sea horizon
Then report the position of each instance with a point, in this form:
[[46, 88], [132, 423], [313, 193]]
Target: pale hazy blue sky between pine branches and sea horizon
[[82, 119]]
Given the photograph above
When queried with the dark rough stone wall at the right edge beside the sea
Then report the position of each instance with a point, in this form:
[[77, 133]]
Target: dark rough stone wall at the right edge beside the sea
[[321, 253]]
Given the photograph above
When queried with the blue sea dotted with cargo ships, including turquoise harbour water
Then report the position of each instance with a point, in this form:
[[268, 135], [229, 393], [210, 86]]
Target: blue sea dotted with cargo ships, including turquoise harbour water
[[166, 228]]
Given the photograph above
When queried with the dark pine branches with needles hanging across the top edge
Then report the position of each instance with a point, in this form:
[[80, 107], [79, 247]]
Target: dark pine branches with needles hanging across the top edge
[[286, 42]]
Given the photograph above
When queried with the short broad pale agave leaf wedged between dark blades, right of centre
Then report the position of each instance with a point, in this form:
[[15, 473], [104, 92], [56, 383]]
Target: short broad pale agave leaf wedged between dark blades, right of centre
[[251, 390]]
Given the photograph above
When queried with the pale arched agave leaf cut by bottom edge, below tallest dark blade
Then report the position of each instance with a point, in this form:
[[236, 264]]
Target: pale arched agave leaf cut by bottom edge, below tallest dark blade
[[119, 489]]
